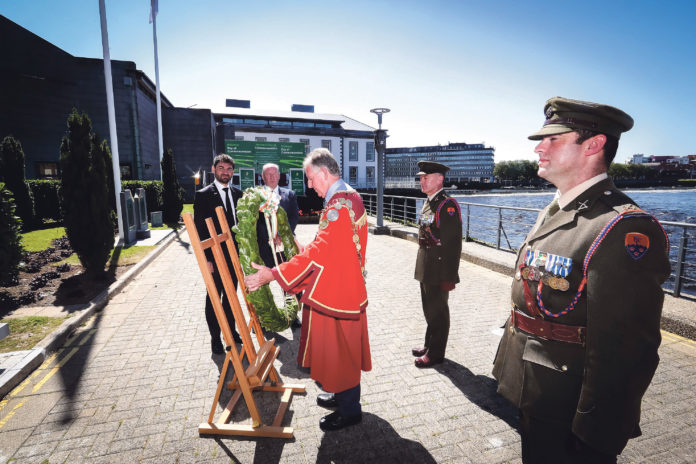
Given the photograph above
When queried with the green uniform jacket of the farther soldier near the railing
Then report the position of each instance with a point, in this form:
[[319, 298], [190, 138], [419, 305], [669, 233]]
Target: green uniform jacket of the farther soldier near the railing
[[440, 241]]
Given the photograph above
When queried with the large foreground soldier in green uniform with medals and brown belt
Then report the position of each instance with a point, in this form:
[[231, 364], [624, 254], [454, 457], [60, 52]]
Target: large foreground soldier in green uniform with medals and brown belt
[[580, 347]]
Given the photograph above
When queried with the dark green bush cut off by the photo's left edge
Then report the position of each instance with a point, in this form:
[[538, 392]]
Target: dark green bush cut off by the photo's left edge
[[11, 252]]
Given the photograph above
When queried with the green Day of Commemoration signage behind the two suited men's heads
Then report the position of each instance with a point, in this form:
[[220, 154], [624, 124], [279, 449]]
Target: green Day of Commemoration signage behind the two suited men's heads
[[247, 154]]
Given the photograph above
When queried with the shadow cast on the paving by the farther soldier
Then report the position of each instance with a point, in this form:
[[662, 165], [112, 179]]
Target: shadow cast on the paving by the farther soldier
[[480, 390]]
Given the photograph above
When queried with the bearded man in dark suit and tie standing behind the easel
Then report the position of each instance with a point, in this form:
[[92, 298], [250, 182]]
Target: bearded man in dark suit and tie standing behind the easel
[[219, 193]]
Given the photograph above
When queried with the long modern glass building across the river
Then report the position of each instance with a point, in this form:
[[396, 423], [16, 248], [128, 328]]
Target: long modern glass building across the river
[[467, 162]]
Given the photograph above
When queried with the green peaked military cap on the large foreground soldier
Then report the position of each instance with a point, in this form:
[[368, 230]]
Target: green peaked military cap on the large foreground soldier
[[566, 115]]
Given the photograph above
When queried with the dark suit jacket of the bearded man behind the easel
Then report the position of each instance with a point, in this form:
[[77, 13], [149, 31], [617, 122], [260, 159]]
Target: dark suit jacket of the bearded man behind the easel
[[204, 203]]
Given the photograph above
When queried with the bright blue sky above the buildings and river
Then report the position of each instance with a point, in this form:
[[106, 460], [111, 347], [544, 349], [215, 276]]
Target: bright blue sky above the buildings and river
[[457, 71]]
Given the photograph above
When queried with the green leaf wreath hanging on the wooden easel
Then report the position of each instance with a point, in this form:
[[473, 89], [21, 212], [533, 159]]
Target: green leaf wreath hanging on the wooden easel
[[271, 317]]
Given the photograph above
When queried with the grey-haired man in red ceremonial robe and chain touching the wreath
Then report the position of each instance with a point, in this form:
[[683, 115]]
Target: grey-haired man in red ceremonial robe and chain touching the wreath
[[330, 272]]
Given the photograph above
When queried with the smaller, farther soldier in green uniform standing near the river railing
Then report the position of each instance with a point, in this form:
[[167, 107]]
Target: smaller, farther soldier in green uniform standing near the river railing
[[437, 264]]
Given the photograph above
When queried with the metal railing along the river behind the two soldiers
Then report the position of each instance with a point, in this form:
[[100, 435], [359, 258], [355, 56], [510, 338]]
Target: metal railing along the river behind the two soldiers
[[505, 227]]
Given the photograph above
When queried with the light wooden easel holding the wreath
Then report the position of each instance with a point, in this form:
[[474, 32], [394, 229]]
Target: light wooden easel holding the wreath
[[254, 377]]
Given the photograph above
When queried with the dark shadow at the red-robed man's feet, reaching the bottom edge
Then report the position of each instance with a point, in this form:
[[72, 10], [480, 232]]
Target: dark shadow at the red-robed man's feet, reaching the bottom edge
[[374, 440]]
